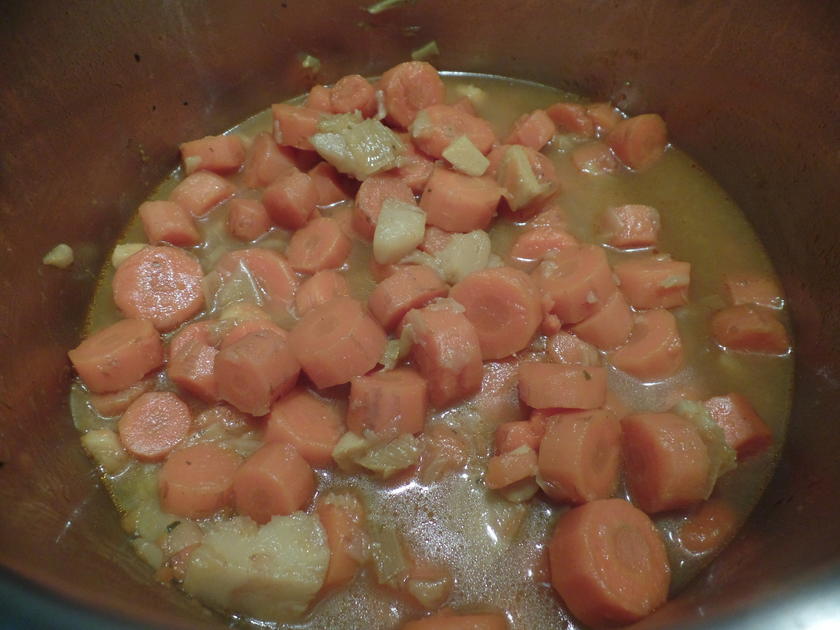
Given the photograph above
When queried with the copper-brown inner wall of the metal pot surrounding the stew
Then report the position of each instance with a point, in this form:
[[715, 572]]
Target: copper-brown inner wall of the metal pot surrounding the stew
[[95, 96]]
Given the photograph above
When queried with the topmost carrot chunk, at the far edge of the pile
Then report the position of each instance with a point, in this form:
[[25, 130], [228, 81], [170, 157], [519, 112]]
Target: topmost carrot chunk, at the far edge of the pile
[[409, 87]]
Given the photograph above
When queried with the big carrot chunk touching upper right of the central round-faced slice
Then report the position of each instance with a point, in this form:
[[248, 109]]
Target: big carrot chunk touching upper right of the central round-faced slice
[[575, 282]]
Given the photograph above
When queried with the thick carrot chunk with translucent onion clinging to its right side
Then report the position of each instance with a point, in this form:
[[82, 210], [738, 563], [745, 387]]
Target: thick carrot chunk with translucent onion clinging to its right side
[[666, 462]]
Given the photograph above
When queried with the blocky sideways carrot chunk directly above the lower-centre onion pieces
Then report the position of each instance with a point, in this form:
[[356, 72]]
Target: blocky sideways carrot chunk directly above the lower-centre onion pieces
[[388, 403]]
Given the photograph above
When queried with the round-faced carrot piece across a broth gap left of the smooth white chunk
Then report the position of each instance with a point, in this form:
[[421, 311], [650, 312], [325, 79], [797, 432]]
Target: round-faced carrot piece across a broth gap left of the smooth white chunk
[[319, 245]]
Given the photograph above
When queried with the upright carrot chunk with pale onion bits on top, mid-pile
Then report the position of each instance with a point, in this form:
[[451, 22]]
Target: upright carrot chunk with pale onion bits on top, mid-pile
[[447, 353]]
